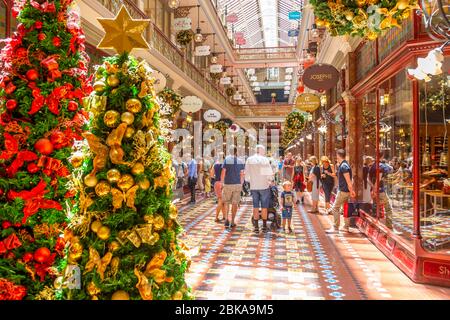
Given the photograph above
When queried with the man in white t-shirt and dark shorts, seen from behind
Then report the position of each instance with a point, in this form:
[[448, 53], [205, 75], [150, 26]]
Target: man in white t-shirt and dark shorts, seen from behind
[[259, 173]]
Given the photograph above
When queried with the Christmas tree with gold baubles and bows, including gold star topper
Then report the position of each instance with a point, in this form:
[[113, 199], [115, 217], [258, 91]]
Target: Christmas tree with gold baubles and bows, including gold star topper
[[124, 228]]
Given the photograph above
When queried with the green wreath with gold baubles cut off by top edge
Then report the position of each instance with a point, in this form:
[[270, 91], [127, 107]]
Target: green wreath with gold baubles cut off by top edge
[[366, 18]]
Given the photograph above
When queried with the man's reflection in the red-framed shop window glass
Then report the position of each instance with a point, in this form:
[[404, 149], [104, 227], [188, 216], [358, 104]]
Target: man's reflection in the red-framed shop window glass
[[383, 198]]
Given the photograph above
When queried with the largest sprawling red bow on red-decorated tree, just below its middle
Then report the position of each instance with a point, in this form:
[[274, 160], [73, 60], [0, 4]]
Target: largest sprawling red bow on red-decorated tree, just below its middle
[[34, 200]]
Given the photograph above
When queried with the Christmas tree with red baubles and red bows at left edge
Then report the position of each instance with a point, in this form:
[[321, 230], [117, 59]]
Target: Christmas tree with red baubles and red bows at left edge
[[42, 83]]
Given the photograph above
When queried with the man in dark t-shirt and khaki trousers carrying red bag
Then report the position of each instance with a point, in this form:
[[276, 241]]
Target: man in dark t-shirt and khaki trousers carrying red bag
[[345, 191]]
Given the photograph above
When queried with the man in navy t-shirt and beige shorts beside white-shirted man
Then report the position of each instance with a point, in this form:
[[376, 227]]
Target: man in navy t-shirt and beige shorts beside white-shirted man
[[232, 177]]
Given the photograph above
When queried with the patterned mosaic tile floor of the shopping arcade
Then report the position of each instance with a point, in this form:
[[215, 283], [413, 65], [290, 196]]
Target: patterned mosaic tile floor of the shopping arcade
[[307, 264]]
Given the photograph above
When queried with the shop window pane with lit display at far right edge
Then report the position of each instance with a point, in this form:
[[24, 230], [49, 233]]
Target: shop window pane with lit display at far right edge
[[434, 165]]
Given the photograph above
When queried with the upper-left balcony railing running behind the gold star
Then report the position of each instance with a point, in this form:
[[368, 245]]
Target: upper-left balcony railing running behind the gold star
[[160, 42]]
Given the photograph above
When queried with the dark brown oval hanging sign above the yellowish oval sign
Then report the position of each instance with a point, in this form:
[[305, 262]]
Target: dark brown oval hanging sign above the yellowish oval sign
[[320, 77]]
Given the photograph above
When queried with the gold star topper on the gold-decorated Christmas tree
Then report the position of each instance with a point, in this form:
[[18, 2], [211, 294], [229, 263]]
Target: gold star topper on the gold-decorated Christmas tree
[[123, 33]]
